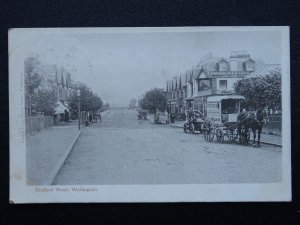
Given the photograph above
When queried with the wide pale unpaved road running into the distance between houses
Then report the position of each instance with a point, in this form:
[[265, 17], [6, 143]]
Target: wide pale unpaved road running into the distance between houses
[[124, 150]]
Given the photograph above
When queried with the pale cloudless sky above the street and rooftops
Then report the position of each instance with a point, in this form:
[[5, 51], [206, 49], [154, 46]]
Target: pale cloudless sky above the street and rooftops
[[120, 66]]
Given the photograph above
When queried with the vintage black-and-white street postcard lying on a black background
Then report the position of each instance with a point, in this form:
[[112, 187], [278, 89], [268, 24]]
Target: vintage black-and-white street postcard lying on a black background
[[181, 114]]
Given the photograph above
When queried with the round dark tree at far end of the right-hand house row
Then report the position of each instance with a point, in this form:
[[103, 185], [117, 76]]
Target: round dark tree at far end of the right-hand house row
[[153, 100]]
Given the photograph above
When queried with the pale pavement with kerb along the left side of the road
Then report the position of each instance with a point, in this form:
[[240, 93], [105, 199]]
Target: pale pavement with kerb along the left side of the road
[[47, 150]]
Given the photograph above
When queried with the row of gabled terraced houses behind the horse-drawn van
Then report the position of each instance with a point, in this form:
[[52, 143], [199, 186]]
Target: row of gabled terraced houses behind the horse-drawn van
[[211, 76]]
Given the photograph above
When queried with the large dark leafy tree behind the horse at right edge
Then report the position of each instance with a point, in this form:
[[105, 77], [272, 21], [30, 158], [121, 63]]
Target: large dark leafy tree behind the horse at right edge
[[261, 91]]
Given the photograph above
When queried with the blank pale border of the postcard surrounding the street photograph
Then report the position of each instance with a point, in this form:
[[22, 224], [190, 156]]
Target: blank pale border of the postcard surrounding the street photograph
[[21, 193]]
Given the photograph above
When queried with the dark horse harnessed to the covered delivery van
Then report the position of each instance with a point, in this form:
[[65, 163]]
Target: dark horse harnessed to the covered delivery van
[[255, 121]]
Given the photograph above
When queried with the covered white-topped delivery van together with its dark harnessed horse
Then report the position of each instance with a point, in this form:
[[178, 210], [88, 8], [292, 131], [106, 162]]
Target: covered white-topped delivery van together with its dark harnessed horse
[[225, 119]]
